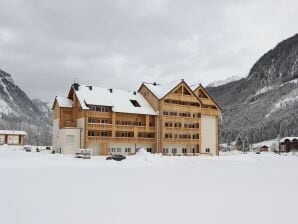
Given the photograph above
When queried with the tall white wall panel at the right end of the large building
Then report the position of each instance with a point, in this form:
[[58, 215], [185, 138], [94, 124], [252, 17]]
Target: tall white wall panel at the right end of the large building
[[208, 133]]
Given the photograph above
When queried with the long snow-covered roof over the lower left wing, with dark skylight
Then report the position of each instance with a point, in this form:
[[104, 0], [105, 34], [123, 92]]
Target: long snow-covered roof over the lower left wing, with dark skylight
[[119, 100]]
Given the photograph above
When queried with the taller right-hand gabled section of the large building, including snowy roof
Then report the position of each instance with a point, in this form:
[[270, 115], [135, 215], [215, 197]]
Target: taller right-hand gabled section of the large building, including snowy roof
[[188, 120]]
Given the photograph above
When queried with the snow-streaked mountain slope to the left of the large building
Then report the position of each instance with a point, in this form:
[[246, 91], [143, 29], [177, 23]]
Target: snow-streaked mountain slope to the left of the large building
[[18, 111]]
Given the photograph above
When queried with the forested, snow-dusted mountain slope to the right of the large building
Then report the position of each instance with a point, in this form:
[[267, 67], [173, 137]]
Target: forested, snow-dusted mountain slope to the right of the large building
[[265, 103]]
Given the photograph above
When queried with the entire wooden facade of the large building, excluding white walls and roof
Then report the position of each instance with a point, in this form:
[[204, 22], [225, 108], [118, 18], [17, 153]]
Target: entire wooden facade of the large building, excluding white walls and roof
[[176, 123]]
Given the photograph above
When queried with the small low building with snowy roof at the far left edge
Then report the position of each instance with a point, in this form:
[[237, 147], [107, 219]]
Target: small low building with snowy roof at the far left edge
[[12, 137]]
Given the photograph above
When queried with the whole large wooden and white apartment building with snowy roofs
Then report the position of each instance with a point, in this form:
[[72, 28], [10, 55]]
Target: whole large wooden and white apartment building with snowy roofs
[[174, 120]]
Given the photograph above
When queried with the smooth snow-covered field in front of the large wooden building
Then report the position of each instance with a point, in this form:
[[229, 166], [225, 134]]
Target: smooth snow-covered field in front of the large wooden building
[[40, 188]]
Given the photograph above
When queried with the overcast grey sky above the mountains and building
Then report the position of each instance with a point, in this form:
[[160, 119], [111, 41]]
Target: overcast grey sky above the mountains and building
[[119, 44]]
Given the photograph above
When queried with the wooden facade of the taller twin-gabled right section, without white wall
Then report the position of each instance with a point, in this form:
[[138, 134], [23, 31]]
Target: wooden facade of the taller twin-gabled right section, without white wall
[[179, 118]]
